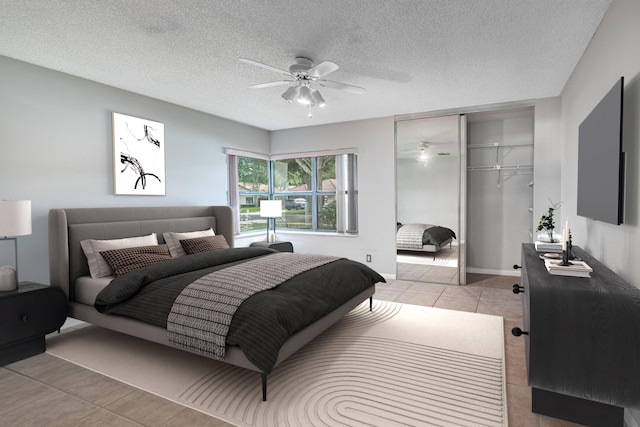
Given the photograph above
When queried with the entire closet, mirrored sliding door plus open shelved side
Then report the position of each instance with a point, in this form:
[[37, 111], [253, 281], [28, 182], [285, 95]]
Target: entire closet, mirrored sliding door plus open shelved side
[[472, 173]]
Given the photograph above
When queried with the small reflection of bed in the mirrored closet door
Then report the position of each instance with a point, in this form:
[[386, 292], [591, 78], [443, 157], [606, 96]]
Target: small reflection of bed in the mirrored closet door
[[423, 237]]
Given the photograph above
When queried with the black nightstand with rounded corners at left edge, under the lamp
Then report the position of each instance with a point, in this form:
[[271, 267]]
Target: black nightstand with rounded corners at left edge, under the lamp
[[27, 314]]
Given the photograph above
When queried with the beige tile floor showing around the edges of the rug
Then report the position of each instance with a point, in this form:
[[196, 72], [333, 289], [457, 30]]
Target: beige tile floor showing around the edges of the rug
[[46, 391]]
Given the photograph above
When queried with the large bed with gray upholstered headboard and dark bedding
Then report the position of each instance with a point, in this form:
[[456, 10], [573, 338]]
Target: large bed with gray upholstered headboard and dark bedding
[[90, 298]]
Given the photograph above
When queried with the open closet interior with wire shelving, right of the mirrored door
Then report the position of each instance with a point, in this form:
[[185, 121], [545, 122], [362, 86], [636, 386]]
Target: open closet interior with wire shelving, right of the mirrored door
[[499, 188]]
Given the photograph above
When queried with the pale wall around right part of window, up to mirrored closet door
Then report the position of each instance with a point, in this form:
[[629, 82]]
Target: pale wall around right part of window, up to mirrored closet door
[[374, 140]]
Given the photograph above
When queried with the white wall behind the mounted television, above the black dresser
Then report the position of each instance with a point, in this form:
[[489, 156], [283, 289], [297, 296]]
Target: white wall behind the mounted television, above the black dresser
[[613, 52]]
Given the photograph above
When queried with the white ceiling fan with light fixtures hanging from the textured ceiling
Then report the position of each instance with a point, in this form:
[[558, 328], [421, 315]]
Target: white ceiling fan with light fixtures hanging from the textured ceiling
[[304, 78]]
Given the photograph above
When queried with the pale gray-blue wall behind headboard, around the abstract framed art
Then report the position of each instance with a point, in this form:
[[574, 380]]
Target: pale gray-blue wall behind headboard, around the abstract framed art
[[56, 150]]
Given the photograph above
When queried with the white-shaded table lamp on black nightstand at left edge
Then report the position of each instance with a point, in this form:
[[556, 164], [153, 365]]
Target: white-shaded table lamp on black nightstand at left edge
[[15, 220]]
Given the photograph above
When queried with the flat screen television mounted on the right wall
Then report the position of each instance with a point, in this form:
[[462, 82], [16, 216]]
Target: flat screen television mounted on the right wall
[[601, 160]]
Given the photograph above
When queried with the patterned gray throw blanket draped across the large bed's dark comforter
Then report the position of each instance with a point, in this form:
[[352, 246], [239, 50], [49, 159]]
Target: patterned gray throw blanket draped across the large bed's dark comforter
[[200, 317]]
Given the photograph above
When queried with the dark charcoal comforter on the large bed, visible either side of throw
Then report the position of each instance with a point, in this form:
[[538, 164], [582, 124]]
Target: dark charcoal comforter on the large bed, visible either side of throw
[[264, 321]]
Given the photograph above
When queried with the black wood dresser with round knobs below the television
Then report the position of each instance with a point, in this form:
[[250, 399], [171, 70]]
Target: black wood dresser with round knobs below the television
[[582, 341]]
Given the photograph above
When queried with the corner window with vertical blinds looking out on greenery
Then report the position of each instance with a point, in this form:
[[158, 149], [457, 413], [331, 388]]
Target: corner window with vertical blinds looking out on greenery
[[318, 193]]
